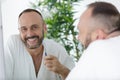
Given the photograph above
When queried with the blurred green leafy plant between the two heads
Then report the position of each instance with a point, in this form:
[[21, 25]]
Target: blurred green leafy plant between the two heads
[[60, 23]]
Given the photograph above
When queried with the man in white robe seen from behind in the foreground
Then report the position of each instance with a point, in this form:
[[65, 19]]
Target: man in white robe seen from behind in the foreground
[[99, 32]]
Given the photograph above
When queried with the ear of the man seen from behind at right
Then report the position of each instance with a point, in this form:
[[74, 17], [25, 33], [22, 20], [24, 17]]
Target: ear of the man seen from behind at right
[[98, 34]]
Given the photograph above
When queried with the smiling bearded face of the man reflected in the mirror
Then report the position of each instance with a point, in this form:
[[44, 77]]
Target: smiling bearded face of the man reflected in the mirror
[[31, 28]]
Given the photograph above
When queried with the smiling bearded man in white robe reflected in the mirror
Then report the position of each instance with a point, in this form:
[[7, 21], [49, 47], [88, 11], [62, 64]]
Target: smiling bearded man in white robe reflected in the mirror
[[31, 57]]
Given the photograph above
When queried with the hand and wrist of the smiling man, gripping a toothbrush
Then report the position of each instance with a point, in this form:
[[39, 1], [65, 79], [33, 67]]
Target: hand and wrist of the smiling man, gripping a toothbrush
[[54, 65]]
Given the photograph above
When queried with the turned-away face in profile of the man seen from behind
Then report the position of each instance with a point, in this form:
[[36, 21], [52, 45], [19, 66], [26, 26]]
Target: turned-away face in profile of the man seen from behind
[[84, 24]]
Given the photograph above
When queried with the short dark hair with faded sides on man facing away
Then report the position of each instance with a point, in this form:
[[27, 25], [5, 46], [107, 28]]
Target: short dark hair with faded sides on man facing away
[[108, 13]]
